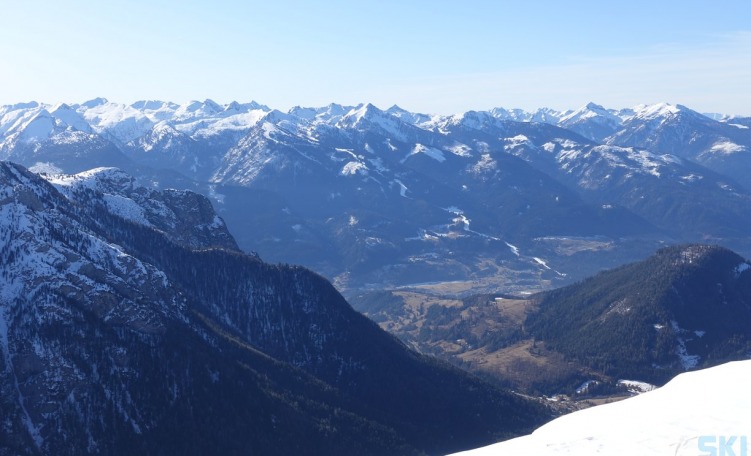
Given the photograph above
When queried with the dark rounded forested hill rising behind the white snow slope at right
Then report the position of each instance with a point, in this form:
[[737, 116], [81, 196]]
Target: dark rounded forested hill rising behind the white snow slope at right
[[631, 321]]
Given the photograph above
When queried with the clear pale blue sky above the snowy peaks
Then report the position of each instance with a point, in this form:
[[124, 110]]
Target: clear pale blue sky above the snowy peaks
[[431, 56]]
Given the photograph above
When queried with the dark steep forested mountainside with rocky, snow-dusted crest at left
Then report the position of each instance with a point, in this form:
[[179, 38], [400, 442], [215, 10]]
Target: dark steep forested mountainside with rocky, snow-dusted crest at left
[[125, 326]]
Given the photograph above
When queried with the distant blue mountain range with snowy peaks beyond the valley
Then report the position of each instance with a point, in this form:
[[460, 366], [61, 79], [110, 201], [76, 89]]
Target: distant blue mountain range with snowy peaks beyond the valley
[[362, 194]]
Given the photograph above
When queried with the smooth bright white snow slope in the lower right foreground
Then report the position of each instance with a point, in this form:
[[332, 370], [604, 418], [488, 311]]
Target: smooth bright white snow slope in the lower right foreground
[[705, 412]]
